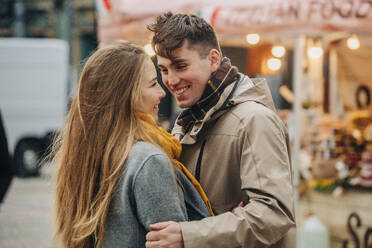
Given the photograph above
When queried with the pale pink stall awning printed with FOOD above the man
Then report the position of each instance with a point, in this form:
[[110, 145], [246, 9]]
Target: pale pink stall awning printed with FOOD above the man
[[127, 19]]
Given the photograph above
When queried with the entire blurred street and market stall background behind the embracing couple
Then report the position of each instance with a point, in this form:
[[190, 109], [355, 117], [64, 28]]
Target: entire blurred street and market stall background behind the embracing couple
[[315, 54]]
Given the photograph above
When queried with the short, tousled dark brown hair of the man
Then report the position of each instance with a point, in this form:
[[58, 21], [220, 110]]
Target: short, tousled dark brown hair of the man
[[171, 31]]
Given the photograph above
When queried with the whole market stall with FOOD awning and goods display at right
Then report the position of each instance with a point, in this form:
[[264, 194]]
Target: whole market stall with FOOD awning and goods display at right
[[332, 117]]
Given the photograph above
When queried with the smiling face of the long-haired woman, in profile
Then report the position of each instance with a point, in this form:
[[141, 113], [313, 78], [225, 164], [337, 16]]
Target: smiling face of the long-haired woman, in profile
[[151, 91]]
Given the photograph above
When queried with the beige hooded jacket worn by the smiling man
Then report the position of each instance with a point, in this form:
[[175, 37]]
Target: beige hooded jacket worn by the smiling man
[[244, 157]]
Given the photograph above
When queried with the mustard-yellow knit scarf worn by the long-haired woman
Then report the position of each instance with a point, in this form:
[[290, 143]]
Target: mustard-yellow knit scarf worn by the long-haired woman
[[172, 147]]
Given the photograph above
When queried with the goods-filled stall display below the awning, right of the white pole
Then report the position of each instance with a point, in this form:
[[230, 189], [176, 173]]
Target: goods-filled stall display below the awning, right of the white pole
[[334, 141]]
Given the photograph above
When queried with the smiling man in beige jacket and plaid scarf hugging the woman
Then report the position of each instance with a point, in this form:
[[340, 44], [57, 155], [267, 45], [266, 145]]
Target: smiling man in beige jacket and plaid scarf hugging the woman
[[232, 141]]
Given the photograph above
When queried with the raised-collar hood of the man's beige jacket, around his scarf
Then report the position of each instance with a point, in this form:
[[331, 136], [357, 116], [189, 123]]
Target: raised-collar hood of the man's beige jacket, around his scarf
[[243, 90]]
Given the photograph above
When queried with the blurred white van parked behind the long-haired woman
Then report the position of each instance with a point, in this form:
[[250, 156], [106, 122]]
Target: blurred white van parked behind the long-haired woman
[[33, 96]]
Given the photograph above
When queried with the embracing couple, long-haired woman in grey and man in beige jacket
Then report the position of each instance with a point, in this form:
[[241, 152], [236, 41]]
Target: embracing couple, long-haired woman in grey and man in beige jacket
[[124, 182]]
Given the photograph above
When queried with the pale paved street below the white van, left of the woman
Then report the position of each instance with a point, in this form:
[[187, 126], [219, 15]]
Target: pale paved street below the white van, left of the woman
[[26, 214]]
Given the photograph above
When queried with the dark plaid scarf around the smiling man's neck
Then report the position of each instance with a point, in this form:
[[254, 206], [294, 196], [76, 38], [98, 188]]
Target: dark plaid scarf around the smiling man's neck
[[225, 75]]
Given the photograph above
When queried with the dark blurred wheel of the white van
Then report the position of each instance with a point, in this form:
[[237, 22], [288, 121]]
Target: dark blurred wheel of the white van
[[27, 157]]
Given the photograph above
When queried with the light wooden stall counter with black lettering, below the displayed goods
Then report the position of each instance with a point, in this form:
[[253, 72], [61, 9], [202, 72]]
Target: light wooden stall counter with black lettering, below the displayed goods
[[348, 217]]
